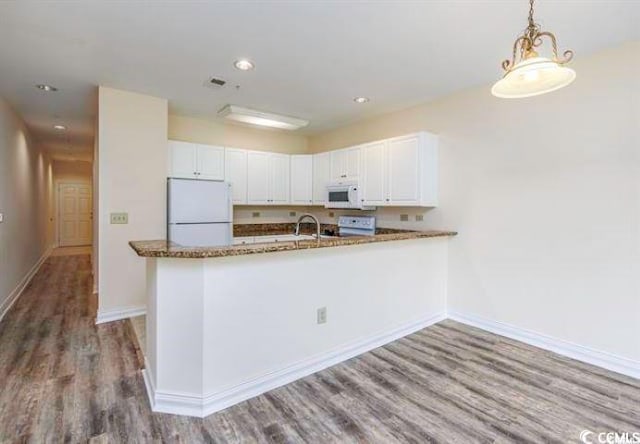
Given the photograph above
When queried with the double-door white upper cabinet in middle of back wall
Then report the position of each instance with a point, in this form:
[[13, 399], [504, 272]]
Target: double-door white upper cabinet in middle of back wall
[[267, 178]]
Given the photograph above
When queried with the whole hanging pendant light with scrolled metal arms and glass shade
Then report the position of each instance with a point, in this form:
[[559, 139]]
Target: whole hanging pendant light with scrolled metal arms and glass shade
[[527, 73]]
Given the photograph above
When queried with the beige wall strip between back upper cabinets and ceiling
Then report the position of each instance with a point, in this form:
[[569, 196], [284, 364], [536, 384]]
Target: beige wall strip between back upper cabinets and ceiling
[[196, 130]]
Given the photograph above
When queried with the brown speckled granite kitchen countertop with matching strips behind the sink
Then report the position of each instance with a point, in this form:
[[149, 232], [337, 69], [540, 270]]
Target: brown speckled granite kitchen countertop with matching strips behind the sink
[[161, 248]]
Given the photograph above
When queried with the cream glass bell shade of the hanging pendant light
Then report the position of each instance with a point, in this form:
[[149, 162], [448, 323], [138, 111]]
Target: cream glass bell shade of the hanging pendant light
[[532, 77]]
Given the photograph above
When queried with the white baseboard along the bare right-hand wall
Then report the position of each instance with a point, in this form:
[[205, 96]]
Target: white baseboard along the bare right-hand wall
[[598, 358]]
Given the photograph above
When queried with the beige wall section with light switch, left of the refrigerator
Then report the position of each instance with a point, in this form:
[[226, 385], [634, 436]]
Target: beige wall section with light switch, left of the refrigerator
[[132, 165]]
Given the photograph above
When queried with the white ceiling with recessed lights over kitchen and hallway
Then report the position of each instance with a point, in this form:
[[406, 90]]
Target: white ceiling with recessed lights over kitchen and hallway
[[311, 58]]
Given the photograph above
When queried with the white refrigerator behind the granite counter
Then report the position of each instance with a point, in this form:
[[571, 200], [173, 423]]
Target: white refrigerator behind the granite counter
[[199, 212]]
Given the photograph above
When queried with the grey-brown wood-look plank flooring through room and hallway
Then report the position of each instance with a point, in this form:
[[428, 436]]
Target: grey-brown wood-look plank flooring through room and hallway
[[64, 379]]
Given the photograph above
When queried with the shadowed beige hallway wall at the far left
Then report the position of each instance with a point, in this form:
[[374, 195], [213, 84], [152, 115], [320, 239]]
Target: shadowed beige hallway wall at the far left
[[25, 201]]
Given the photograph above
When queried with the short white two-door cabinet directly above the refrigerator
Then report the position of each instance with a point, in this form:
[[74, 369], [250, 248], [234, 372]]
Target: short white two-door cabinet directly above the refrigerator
[[195, 161]]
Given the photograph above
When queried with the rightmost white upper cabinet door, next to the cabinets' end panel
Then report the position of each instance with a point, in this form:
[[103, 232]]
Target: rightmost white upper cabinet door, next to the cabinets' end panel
[[404, 171]]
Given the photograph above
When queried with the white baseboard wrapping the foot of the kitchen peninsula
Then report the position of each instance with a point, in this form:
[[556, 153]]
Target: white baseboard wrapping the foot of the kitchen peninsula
[[193, 405]]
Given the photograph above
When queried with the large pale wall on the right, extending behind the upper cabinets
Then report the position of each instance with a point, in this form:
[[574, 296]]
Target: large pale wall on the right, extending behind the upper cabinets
[[545, 194]]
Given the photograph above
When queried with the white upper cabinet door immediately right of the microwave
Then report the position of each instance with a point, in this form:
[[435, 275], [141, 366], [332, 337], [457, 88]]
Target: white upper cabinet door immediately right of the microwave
[[373, 183]]
